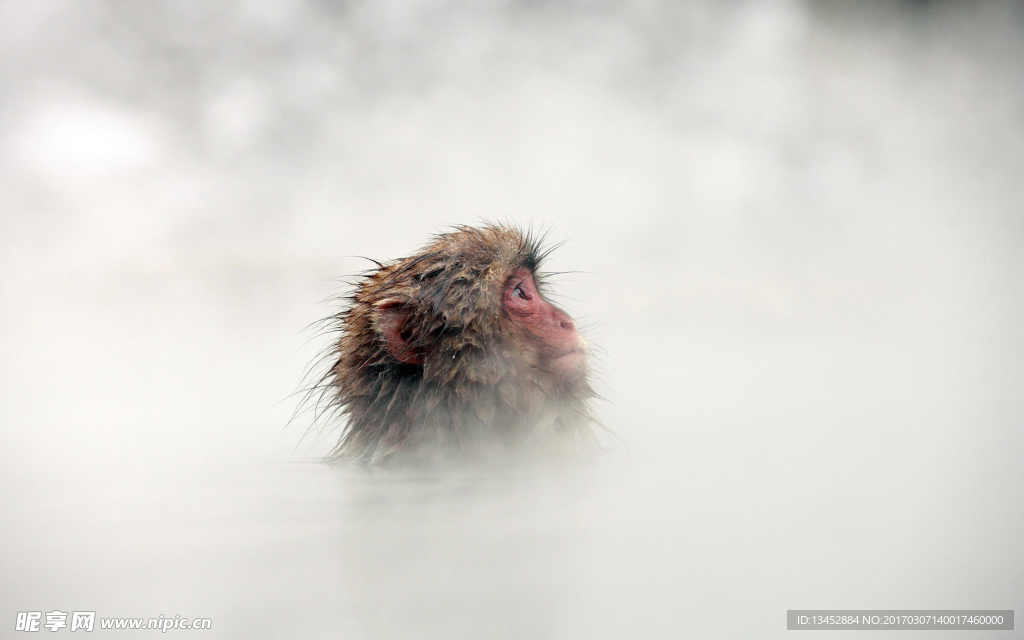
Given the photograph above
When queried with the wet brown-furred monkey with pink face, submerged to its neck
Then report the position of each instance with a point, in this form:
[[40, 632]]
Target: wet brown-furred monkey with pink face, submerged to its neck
[[455, 353]]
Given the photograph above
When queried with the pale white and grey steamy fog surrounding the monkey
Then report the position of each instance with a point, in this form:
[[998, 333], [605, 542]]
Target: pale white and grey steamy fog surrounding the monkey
[[795, 233]]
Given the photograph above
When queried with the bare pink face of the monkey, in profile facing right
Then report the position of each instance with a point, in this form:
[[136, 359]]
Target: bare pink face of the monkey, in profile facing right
[[564, 350]]
